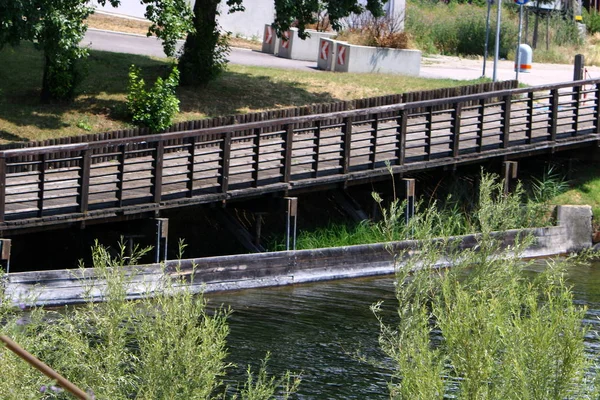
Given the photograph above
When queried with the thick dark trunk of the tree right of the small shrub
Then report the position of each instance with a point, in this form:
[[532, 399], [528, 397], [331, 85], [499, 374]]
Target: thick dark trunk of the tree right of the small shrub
[[204, 55]]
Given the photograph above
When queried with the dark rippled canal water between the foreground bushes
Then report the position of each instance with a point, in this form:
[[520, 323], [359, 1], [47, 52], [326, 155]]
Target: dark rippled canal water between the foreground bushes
[[324, 330]]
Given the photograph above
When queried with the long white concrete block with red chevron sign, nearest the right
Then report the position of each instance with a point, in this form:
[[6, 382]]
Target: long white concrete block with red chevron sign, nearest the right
[[352, 58]]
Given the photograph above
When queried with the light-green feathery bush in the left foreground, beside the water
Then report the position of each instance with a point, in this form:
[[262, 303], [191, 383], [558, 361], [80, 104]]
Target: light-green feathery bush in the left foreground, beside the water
[[168, 347]]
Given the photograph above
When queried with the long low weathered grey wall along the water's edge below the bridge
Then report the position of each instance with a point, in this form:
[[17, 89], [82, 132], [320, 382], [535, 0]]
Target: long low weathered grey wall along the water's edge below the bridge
[[573, 233]]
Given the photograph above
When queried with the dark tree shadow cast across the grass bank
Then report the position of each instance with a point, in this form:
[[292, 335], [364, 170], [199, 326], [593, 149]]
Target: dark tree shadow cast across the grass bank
[[103, 91]]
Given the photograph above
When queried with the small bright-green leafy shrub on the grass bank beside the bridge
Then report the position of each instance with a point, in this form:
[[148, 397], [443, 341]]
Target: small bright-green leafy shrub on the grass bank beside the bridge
[[154, 108]]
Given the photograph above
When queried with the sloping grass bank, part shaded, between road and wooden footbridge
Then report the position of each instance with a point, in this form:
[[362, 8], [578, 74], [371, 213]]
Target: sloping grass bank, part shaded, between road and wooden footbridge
[[100, 104]]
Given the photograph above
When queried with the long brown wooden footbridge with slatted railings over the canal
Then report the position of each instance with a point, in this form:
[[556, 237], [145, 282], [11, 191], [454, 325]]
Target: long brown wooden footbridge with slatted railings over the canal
[[128, 177]]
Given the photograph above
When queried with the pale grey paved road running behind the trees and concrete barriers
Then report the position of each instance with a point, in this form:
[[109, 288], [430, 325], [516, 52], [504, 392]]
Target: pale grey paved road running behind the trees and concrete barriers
[[431, 67]]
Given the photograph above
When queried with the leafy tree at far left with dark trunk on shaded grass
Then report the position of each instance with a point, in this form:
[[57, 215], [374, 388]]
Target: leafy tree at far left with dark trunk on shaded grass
[[56, 27]]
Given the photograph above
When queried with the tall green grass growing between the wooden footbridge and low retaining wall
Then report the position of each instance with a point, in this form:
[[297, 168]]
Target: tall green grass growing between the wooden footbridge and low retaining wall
[[520, 208]]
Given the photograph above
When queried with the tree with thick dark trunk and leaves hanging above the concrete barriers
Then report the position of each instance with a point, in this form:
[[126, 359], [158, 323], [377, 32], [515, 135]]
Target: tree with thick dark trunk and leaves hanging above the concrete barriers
[[205, 50]]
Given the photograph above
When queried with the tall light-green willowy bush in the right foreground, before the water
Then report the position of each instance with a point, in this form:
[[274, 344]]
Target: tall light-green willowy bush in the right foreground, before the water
[[481, 329]]
